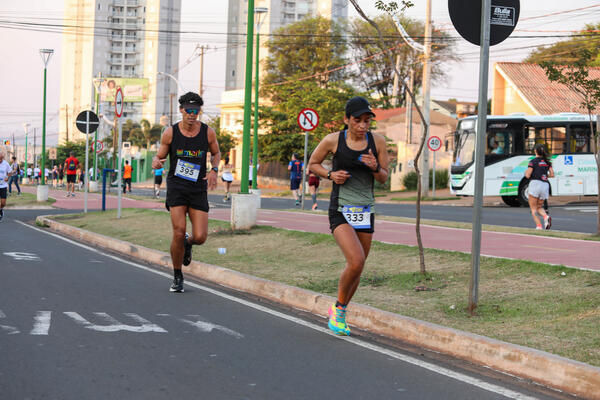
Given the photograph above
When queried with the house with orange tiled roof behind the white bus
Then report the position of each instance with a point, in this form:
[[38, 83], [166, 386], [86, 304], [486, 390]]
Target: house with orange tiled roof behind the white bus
[[524, 88]]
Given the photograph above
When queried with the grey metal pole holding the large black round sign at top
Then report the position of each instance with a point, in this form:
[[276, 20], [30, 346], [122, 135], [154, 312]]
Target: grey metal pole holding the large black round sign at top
[[484, 57]]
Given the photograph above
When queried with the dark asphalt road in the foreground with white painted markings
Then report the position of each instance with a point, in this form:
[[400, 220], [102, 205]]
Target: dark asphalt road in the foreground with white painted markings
[[76, 323]]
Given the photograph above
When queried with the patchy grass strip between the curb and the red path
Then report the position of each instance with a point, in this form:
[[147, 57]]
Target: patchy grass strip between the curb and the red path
[[551, 308]]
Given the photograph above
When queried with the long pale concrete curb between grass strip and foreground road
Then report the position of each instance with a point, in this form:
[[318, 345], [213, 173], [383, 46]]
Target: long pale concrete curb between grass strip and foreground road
[[545, 368]]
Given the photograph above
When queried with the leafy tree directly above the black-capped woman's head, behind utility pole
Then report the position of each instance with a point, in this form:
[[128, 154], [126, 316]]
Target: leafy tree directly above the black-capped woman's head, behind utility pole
[[375, 73]]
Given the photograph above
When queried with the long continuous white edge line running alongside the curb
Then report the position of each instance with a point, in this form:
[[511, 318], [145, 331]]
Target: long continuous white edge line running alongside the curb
[[490, 387]]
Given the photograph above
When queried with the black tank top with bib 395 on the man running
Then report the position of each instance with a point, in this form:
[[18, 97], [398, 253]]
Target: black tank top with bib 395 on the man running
[[187, 156]]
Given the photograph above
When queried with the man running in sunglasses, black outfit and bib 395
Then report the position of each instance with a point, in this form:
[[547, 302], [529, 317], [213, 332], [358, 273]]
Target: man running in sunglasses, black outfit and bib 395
[[186, 143]]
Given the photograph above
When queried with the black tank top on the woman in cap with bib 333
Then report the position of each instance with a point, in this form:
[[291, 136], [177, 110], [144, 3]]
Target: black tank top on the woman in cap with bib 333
[[358, 189]]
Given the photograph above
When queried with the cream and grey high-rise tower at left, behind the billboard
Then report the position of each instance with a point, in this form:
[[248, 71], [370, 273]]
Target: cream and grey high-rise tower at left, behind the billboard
[[126, 39]]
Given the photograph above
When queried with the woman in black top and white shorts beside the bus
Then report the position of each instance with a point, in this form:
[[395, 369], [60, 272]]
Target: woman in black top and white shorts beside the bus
[[538, 171]]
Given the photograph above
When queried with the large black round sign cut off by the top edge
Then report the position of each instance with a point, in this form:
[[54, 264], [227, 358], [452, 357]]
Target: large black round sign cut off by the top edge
[[466, 18]]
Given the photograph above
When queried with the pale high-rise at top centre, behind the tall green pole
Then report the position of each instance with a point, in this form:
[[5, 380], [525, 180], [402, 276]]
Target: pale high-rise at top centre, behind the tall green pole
[[281, 13]]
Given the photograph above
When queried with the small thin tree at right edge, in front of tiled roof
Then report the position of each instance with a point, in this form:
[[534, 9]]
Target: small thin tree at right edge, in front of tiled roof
[[576, 77]]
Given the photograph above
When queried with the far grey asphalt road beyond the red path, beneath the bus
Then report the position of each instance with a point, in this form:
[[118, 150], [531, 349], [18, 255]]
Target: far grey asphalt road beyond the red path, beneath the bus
[[572, 218]]
